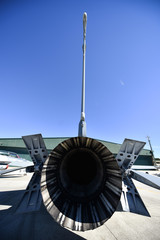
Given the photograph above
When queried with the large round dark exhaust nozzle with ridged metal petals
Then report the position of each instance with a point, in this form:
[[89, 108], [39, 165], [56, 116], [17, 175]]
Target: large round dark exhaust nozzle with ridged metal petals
[[81, 183]]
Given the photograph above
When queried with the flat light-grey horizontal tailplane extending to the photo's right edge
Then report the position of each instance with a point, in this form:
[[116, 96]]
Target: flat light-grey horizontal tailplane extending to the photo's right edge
[[150, 180]]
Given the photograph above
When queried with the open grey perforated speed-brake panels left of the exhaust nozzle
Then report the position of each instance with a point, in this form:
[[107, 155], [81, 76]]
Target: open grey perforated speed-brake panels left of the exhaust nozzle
[[31, 199]]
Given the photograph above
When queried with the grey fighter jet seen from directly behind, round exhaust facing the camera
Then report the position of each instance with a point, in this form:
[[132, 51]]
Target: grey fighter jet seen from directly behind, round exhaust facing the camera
[[81, 182]]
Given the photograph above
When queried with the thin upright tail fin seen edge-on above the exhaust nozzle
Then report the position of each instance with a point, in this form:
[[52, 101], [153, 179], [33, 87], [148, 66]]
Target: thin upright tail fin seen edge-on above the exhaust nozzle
[[82, 123]]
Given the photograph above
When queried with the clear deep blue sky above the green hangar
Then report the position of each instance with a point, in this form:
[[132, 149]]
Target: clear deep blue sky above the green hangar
[[41, 69]]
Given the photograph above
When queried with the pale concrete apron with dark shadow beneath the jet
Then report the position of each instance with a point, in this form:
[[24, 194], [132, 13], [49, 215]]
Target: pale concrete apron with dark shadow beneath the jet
[[39, 225]]
